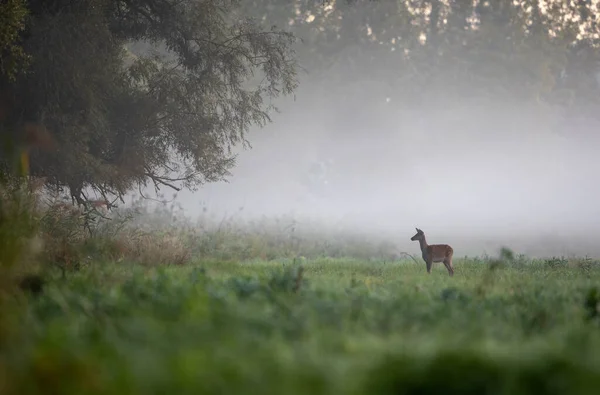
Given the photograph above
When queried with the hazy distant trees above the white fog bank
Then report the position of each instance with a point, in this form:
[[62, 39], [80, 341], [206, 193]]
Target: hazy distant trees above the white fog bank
[[525, 50]]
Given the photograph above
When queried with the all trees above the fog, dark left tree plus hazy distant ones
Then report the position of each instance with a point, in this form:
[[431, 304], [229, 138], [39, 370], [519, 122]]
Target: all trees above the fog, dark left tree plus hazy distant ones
[[113, 95]]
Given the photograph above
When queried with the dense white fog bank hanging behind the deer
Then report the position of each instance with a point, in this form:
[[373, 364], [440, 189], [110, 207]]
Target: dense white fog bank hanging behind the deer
[[476, 175]]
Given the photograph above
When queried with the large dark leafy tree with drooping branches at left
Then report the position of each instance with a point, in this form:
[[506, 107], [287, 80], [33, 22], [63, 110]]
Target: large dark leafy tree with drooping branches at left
[[120, 119]]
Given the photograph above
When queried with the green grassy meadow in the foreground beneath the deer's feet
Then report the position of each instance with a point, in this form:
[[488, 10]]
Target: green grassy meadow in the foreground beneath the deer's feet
[[342, 327]]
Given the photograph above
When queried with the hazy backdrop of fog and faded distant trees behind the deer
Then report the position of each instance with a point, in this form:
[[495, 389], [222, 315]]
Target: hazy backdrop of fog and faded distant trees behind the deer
[[470, 166]]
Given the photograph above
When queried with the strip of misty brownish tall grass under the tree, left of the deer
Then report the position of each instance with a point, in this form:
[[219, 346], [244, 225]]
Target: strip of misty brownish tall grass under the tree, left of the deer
[[162, 235]]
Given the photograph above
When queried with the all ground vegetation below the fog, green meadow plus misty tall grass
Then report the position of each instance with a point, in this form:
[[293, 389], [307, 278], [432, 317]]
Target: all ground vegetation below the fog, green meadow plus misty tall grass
[[152, 304]]
